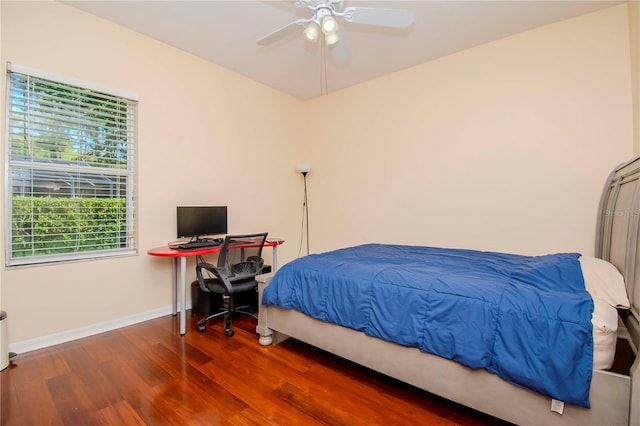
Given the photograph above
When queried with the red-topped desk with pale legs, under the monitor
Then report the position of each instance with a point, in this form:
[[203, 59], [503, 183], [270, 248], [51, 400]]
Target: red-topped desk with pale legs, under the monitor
[[166, 251]]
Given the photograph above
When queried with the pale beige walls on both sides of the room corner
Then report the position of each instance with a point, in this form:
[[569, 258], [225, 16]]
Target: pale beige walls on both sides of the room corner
[[503, 147]]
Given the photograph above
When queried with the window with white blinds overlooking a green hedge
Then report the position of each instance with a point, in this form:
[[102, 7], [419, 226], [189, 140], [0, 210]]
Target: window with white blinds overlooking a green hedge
[[69, 163]]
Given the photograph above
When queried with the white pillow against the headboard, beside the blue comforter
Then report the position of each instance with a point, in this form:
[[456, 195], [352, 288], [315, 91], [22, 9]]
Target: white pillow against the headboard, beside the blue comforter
[[604, 281]]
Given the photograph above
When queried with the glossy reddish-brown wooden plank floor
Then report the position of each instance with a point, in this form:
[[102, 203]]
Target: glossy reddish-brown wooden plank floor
[[146, 374]]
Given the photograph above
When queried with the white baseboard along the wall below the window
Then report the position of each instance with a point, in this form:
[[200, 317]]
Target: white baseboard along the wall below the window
[[79, 333]]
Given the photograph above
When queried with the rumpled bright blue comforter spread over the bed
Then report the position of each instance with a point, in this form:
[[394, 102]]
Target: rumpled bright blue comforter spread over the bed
[[526, 319]]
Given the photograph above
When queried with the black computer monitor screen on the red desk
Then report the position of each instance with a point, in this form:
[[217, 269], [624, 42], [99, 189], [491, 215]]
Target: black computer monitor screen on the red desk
[[200, 221]]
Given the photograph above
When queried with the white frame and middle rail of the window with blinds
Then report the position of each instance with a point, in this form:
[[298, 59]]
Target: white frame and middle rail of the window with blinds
[[126, 176]]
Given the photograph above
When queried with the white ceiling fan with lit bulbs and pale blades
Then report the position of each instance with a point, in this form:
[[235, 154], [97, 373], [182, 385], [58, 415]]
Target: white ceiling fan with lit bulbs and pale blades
[[324, 22]]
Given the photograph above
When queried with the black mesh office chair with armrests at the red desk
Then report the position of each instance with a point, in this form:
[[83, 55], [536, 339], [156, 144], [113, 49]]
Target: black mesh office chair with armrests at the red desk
[[239, 261]]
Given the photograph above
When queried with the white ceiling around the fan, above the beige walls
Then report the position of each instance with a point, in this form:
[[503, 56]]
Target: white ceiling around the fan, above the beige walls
[[225, 33]]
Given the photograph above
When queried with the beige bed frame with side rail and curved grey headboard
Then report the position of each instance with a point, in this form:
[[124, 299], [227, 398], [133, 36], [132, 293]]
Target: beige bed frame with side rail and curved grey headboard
[[615, 398]]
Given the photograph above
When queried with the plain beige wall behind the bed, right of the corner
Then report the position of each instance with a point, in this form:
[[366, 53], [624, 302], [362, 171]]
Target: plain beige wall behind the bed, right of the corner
[[501, 147]]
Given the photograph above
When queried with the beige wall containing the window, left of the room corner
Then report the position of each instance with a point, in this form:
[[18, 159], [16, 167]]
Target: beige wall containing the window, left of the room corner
[[206, 136]]
